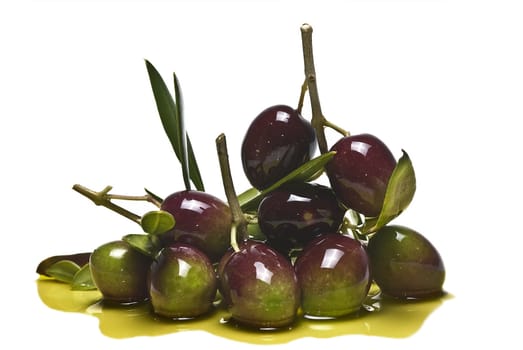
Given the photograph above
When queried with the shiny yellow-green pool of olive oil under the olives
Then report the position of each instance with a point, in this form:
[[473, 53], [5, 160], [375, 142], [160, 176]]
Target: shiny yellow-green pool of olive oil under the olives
[[379, 317]]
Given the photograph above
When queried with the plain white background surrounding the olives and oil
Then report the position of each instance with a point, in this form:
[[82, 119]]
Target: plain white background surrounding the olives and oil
[[440, 79]]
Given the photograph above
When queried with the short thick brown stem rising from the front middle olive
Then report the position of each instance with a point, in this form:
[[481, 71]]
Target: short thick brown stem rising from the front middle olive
[[239, 223]]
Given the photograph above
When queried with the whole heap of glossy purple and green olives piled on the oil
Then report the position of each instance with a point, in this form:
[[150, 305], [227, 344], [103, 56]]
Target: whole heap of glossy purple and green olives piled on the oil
[[303, 248]]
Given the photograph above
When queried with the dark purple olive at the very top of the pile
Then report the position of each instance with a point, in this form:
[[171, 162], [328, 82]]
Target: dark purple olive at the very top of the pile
[[278, 141]]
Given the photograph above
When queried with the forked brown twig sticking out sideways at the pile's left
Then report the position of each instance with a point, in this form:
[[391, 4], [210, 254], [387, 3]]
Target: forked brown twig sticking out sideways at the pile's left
[[103, 198]]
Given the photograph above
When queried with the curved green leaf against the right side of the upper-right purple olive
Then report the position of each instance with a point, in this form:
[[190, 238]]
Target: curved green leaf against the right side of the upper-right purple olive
[[399, 193]]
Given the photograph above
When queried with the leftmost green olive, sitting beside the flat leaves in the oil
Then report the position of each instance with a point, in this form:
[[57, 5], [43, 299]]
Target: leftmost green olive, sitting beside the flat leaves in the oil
[[120, 272]]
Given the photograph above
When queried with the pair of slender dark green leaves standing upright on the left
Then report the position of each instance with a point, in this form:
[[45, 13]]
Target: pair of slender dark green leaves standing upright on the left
[[171, 115]]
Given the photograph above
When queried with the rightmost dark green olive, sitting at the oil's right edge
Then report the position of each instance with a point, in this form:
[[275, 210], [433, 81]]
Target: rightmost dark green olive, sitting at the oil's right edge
[[405, 264]]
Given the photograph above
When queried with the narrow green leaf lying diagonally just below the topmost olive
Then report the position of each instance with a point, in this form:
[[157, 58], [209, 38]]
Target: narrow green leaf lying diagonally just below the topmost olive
[[250, 199]]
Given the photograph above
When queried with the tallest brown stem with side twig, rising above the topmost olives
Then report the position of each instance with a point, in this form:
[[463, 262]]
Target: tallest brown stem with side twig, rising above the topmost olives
[[318, 120]]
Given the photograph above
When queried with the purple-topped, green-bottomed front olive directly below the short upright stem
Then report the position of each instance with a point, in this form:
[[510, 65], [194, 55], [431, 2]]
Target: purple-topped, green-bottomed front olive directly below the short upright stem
[[260, 287]]
